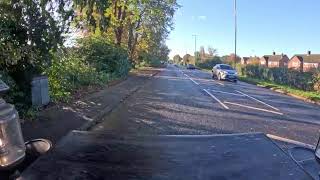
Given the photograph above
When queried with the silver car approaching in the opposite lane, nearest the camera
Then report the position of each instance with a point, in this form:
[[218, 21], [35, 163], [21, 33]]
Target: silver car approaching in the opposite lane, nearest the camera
[[224, 72]]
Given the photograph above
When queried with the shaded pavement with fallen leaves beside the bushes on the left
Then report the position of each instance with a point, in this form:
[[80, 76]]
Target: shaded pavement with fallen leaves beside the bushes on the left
[[57, 121]]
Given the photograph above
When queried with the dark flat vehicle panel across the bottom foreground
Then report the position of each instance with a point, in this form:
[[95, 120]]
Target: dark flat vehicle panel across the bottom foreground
[[83, 155]]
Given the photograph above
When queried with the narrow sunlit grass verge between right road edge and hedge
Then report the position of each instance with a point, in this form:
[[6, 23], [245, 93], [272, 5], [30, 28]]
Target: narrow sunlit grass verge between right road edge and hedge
[[310, 95]]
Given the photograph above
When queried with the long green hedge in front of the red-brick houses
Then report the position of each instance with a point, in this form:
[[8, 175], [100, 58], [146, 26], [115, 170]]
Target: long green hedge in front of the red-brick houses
[[308, 81]]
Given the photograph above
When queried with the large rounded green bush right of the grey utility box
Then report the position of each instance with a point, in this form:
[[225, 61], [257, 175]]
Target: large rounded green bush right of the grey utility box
[[94, 62]]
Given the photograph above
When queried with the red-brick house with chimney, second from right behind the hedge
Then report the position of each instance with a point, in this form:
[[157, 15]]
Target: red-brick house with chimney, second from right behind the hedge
[[274, 60]]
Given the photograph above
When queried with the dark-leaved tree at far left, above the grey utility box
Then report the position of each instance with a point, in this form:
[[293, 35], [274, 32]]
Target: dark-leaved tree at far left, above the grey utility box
[[30, 30]]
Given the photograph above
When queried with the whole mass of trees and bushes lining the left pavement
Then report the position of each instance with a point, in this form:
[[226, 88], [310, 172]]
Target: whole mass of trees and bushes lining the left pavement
[[113, 35]]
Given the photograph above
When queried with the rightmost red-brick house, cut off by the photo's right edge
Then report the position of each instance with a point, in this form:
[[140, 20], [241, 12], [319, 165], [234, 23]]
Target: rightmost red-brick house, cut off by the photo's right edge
[[305, 62]]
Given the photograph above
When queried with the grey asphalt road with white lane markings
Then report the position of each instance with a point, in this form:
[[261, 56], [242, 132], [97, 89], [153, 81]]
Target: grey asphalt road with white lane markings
[[180, 101]]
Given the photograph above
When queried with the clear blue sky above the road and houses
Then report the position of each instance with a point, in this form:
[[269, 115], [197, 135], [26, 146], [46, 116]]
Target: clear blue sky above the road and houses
[[264, 26]]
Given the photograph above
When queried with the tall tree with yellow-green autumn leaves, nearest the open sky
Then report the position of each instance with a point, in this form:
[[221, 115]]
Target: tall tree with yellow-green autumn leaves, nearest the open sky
[[140, 25]]
